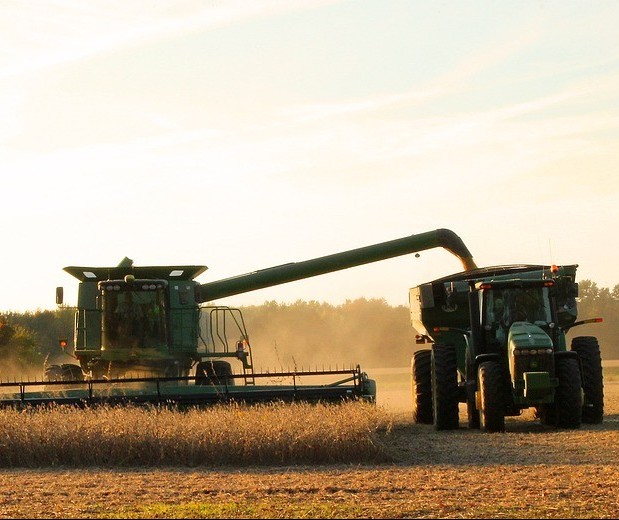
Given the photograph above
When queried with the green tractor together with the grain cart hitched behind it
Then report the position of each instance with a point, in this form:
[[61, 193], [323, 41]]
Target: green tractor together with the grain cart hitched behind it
[[498, 344]]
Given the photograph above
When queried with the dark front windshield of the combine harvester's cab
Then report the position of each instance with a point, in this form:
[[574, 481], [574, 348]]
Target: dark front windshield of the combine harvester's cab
[[134, 318]]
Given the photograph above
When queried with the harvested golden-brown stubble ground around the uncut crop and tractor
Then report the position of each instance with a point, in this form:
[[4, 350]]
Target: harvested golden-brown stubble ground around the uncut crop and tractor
[[528, 472]]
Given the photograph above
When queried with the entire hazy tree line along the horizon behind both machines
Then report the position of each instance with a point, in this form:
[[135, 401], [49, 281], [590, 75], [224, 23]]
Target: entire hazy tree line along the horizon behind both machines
[[303, 334]]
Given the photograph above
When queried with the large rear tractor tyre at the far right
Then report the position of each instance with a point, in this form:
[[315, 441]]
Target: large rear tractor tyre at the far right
[[588, 351]]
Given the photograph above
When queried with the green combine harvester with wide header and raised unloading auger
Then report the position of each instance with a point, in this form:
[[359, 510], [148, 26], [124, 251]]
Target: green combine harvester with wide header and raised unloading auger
[[149, 335]]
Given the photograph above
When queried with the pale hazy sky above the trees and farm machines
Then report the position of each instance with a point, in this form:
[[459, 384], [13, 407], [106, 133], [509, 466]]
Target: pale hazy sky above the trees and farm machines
[[246, 134]]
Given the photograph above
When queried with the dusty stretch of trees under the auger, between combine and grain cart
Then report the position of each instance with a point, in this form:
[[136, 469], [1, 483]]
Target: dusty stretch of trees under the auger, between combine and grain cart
[[315, 335]]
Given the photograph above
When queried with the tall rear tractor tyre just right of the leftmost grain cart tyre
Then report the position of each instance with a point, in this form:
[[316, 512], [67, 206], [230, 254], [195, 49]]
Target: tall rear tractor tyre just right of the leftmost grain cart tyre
[[445, 391]]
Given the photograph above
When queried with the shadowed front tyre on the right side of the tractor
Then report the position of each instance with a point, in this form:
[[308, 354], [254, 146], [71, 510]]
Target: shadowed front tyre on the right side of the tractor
[[568, 397]]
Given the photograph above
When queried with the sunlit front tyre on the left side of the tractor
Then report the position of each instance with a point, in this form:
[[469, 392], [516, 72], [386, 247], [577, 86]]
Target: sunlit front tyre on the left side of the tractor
[[492, 409]]
